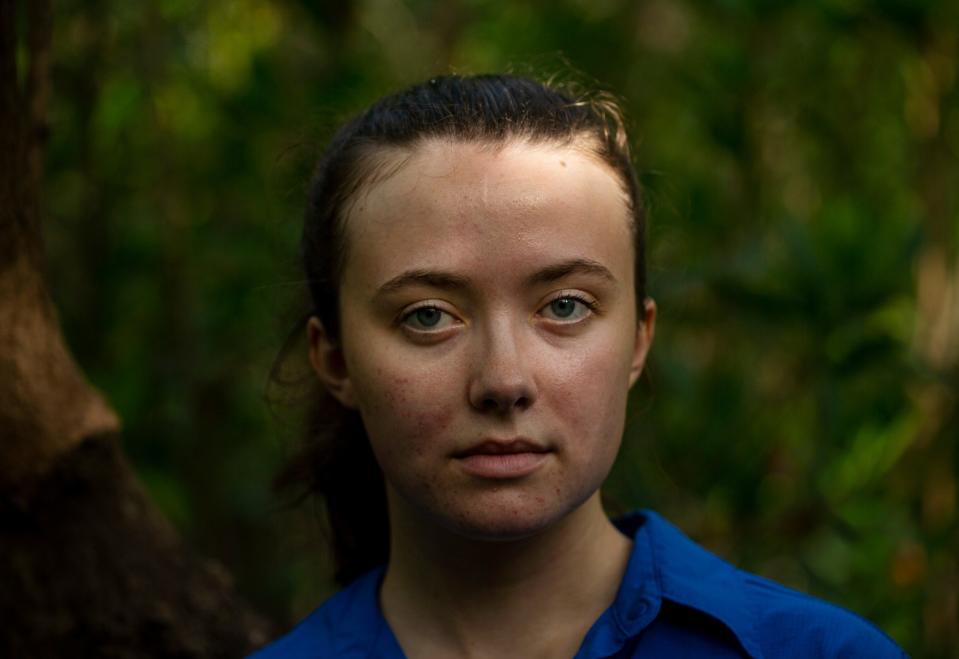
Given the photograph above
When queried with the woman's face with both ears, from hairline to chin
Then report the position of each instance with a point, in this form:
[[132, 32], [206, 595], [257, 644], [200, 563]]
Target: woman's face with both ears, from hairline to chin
[[489, 332]]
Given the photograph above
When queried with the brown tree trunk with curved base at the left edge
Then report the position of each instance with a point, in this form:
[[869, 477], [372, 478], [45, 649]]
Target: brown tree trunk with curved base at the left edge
[[88, 566]]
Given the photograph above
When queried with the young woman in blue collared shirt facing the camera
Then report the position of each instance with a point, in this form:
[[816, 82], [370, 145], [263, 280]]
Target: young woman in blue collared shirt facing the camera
[[474, 248]]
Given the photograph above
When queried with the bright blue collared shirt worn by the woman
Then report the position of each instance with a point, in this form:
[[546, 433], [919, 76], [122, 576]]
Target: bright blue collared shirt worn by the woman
[[676, 600]]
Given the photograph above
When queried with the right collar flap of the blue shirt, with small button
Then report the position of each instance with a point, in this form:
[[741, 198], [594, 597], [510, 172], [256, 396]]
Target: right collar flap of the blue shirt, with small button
[[684, 573]]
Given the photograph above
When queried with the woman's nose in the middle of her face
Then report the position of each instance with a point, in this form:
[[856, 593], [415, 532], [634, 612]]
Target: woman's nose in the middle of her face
[[502, 380]]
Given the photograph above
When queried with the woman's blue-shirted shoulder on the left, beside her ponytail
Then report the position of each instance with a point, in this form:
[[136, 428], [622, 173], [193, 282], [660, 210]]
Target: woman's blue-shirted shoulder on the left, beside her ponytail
[[346, 625]]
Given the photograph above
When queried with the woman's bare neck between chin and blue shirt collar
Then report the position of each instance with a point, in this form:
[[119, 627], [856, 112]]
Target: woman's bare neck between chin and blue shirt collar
[[446, 595]]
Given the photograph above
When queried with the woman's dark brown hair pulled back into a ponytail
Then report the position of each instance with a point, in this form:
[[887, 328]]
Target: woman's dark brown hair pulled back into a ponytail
[[336, 461]]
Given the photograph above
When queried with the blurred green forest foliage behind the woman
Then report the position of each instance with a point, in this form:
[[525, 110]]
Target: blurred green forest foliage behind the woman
[[801, 161]]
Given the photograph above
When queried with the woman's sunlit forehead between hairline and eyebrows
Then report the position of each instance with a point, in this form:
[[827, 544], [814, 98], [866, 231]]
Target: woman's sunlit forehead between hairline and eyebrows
[[487, 210]]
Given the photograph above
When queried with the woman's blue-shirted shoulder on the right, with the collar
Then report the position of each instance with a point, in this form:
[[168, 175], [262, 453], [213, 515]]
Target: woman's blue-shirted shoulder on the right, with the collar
[[769, 621]]
